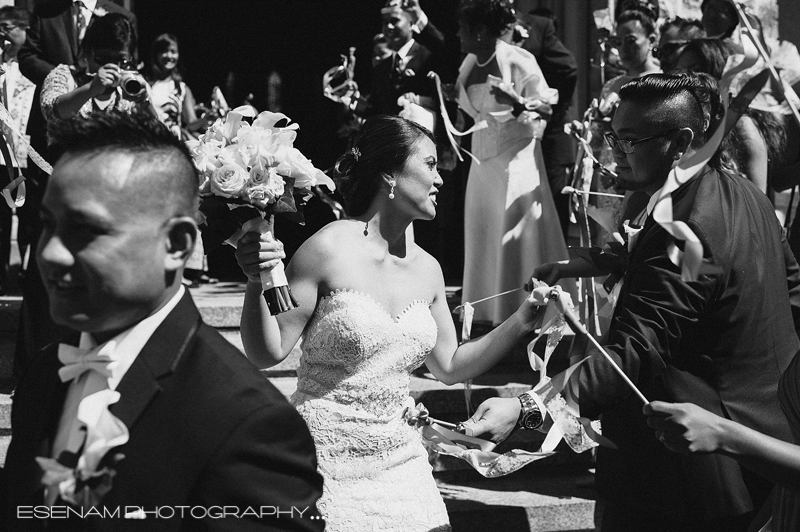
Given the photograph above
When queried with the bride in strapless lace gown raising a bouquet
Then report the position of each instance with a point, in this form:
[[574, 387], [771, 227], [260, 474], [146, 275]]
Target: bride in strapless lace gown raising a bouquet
[[372, 309]]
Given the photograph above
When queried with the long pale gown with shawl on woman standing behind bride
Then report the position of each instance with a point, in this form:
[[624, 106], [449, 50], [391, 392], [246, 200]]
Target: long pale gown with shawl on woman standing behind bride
[[510, 220]]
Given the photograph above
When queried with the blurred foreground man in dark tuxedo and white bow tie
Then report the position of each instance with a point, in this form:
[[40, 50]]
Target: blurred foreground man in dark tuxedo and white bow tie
[[153, 414]]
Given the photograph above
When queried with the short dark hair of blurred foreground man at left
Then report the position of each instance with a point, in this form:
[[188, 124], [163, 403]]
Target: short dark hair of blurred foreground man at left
[[139, 134]]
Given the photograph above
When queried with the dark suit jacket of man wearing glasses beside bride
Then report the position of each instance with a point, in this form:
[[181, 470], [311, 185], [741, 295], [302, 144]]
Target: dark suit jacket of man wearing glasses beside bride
[[720, 342]]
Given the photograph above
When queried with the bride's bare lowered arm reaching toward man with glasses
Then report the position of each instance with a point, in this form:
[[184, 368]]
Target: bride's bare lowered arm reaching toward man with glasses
[[451, 363]]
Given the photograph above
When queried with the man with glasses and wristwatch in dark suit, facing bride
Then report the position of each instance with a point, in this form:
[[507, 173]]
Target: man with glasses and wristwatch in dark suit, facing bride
[[720, 341]]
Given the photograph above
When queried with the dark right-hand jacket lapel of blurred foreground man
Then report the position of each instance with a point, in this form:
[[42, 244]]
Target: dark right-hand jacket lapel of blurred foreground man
[[158, 358]]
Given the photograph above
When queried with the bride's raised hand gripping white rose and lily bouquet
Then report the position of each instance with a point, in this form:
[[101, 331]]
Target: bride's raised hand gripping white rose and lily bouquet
[[249, 173]]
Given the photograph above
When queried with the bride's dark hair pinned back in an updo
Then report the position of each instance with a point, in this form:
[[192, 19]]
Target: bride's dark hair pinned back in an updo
[[383, 146]]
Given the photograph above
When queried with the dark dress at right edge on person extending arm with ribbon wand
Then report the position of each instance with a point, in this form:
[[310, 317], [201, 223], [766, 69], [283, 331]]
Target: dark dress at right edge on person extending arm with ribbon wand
[[786, 508]]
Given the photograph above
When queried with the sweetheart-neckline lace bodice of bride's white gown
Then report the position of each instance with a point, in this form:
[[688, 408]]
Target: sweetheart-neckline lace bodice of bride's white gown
[[356, 354]]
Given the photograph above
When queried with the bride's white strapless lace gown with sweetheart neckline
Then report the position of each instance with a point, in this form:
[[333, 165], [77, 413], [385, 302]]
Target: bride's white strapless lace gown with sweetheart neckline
[[352, 390]]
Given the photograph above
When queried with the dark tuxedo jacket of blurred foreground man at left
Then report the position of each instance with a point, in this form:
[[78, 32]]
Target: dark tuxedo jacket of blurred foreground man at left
[[206, 429]]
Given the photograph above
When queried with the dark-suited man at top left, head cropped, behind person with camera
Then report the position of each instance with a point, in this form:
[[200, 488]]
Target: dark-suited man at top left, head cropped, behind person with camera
[[53, 38]]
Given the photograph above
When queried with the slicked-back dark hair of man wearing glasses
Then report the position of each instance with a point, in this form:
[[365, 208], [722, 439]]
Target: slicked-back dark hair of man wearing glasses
[[675, 101]]
